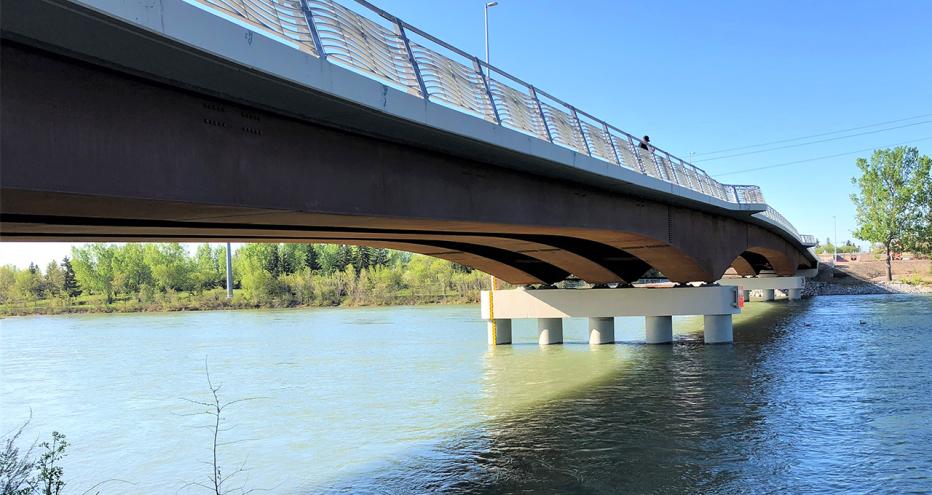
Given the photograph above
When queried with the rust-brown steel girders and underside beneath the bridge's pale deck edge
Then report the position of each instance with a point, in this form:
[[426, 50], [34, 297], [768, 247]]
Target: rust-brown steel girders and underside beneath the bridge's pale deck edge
[[89, 153]]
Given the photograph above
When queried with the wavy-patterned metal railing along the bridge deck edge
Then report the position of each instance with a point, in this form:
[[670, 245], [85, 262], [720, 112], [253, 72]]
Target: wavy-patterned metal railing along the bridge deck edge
[[377, 44]]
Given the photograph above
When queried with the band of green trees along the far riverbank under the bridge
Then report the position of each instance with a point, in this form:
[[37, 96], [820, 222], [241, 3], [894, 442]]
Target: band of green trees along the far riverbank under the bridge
[[165, 276]]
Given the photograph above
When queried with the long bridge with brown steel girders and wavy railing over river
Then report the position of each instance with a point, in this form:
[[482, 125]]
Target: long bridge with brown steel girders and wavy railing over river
[[315, 121]]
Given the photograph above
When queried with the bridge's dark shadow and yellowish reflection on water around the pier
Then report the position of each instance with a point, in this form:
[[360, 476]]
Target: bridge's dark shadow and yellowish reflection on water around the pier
[[635, 418]]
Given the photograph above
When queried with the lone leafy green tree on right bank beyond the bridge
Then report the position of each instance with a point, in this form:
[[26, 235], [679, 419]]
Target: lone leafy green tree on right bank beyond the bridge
[[893, 202]]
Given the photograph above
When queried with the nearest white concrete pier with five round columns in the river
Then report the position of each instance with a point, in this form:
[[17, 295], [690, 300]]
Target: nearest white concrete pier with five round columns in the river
[[656, 305]]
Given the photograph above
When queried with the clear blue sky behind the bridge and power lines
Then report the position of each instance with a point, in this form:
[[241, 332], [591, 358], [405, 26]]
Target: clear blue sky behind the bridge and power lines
[[705, 76]]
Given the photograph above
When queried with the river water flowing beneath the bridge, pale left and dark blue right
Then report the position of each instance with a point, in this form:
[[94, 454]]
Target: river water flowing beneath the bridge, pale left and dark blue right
[[826, 395]]
